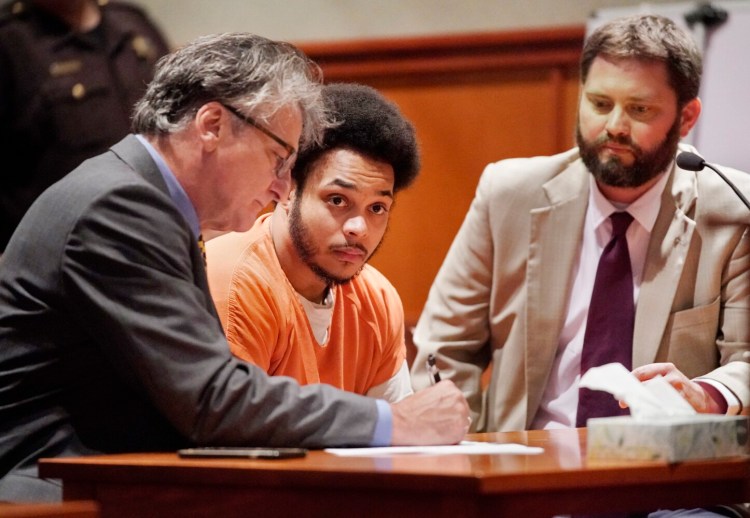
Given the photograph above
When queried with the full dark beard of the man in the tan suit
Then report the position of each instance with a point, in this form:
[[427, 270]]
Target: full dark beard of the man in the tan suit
[[645, 166]]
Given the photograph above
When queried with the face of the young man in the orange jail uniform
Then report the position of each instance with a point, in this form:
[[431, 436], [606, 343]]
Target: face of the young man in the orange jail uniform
[[339, 220]]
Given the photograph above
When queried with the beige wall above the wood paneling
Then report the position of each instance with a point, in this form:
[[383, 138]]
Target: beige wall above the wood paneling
[[333, 20]]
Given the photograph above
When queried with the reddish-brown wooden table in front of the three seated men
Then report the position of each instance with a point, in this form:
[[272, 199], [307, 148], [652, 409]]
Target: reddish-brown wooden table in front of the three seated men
[[556, 482]]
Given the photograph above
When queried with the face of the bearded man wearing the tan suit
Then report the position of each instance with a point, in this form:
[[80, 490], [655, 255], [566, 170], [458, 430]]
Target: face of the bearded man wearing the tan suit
[[629, 124]]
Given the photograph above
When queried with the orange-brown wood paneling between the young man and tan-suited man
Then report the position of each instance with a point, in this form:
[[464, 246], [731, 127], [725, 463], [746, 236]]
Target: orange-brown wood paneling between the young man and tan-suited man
[[473, 99]]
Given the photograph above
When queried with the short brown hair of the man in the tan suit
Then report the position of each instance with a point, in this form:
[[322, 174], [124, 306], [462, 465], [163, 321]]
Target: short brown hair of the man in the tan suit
[[649, 37]]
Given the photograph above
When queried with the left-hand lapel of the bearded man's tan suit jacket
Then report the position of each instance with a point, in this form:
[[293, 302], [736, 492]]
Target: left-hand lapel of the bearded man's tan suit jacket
[[553, 250]]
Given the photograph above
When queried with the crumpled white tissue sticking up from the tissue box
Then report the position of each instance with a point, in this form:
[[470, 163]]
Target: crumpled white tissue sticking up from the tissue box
[[651, 399]]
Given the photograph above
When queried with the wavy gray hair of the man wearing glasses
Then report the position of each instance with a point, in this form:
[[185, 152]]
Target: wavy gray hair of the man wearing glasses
[[254, 74]]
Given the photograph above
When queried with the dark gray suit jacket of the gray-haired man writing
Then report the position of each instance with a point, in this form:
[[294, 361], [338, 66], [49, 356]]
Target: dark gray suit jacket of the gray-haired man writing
[[109, 340]]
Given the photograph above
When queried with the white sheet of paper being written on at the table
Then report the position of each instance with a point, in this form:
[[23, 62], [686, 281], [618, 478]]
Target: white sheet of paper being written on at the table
[[464, 447]]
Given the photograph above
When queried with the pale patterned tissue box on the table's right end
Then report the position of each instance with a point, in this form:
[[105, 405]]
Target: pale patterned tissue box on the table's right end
[[700, 436]]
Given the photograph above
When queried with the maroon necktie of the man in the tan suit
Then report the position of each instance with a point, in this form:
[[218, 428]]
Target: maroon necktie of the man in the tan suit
[[609, 329]]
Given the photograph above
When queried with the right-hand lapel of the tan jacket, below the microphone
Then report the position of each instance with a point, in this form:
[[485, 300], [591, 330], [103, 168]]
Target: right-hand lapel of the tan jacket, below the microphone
[[665, 259]]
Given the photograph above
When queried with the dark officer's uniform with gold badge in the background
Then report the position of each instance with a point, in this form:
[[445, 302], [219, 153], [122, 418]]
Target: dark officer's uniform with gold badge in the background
[[65, 96]]
